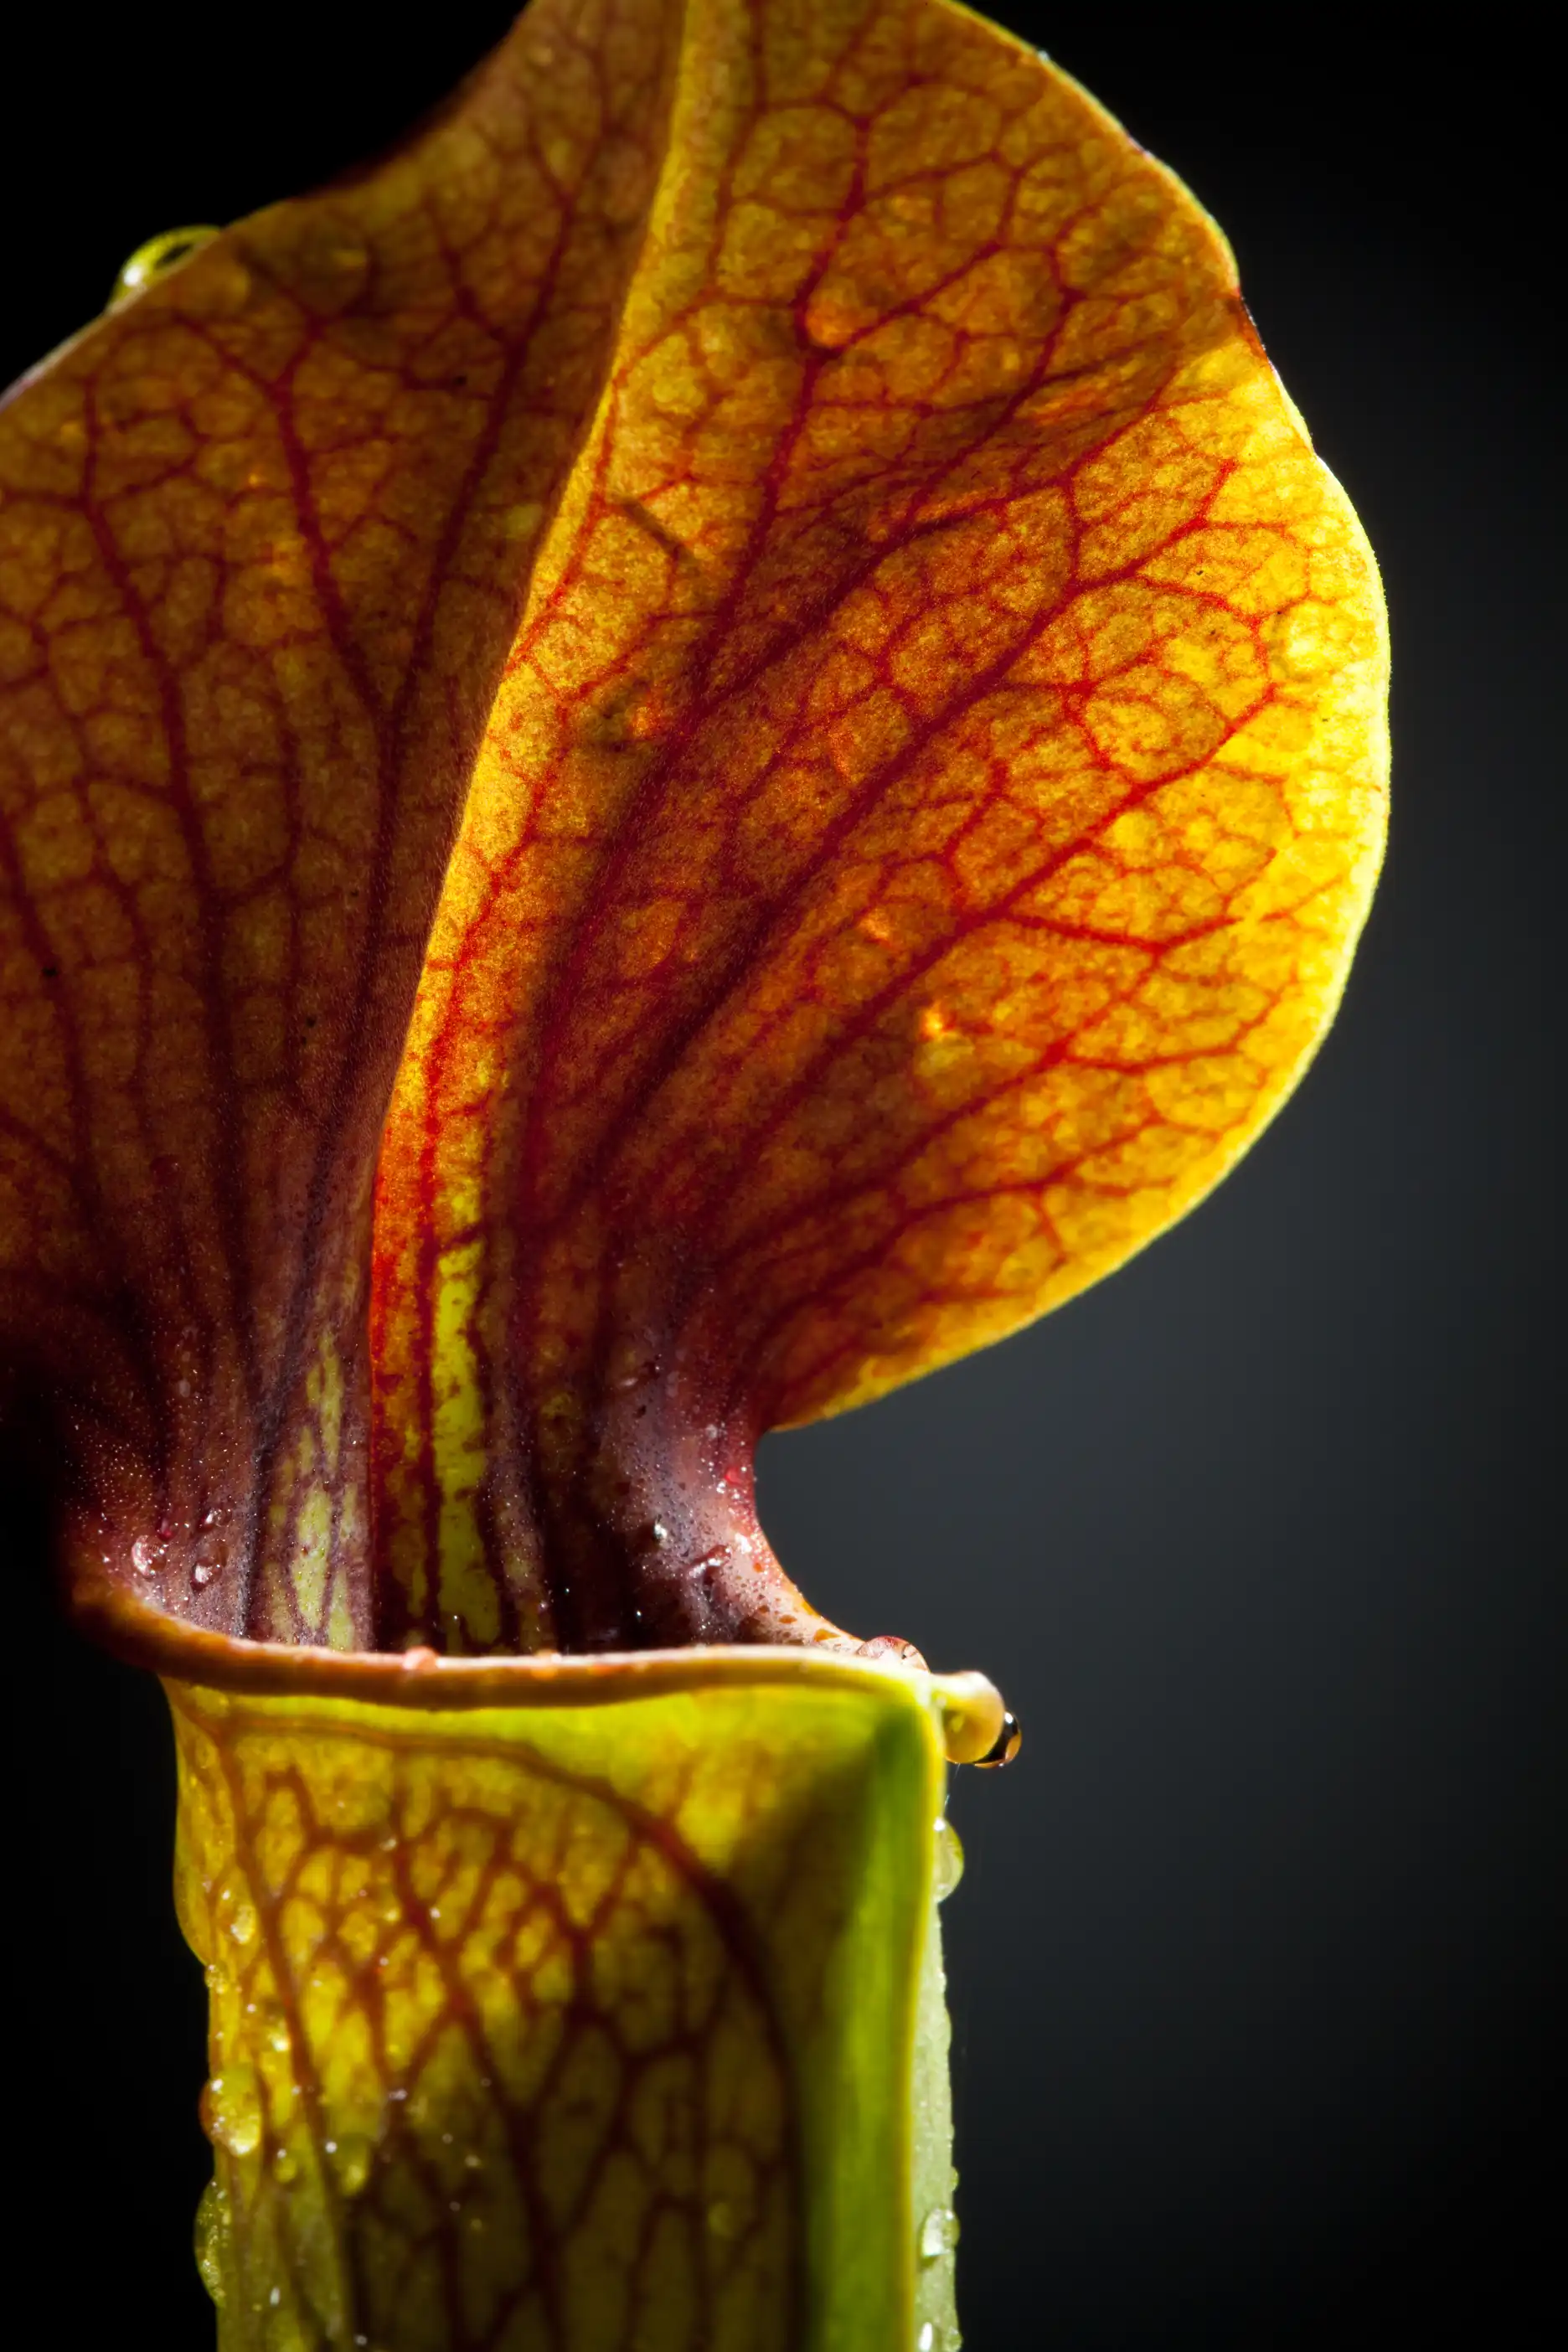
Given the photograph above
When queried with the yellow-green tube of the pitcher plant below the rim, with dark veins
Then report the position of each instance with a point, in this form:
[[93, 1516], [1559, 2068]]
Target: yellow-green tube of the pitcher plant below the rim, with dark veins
[[603, 2019]]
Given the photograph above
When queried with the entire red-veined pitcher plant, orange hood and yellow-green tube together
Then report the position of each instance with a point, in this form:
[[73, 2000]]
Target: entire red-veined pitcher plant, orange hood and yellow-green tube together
[[666, 759]]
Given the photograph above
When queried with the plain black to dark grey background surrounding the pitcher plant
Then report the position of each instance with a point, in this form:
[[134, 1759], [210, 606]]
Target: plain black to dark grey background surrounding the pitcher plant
[[1259, 1960]]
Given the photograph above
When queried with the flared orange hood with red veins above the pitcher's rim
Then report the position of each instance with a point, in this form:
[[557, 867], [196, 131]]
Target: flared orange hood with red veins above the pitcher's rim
[[695, 747]]
